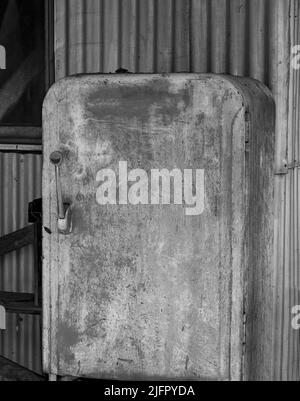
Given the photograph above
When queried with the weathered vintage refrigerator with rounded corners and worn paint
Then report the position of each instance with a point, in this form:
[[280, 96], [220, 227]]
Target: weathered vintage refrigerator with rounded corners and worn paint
[[158, 227]]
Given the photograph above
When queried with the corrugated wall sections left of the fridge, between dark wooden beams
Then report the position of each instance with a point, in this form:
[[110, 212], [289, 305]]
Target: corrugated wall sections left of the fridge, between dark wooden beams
[[20, 183]]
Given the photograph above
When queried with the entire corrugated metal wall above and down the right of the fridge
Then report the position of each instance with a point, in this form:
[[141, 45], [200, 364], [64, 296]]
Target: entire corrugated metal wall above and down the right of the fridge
[[241, 37]]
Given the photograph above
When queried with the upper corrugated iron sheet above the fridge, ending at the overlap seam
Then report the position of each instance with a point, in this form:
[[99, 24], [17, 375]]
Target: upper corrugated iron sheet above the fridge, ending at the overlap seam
[[240, 37]]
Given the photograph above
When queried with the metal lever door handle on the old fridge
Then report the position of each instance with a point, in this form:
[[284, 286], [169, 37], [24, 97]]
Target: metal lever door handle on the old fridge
[[64, 218]]
